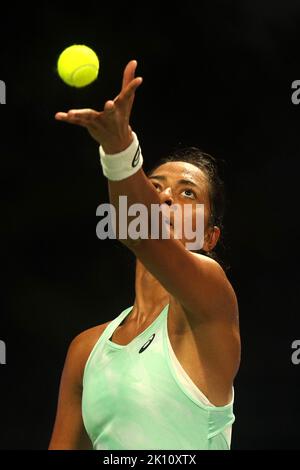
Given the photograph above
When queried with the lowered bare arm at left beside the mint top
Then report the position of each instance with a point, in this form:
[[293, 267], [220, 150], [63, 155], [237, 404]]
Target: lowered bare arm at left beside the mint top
[[69, 432]]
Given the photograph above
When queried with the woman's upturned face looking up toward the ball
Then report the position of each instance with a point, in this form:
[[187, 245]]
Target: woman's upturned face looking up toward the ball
[[184, 184]]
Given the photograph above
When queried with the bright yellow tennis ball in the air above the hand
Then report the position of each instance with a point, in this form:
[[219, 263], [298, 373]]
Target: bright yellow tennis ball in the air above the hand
[[78, 65]]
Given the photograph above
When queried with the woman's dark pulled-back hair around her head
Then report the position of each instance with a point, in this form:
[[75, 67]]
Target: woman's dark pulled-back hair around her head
[[216, 190]]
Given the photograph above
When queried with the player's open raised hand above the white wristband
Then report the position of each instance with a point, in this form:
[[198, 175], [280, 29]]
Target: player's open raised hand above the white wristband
[[110, 127]]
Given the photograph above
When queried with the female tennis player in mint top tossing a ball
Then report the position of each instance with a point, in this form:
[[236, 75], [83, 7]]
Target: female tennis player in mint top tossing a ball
[[160, 375]]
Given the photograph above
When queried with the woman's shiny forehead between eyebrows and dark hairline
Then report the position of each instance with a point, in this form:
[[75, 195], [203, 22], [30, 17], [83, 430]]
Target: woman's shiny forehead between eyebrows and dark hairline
[[182, 170]]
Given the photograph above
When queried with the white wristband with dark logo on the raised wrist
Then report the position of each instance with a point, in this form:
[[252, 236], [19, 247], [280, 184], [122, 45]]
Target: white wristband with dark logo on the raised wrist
[[119, 166]]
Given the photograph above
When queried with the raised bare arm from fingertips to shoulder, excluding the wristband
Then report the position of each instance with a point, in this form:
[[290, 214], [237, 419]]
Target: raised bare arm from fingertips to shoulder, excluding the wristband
[[197, 282]]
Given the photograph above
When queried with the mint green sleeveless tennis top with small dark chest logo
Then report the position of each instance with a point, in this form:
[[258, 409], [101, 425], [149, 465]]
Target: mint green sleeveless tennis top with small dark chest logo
[[138, 396]]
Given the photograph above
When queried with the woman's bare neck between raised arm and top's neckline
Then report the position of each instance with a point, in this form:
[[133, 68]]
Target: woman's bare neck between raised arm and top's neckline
[[150, 295]]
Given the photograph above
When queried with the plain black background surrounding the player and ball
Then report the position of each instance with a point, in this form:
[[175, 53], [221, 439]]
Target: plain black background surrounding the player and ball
[[217, 75]]
